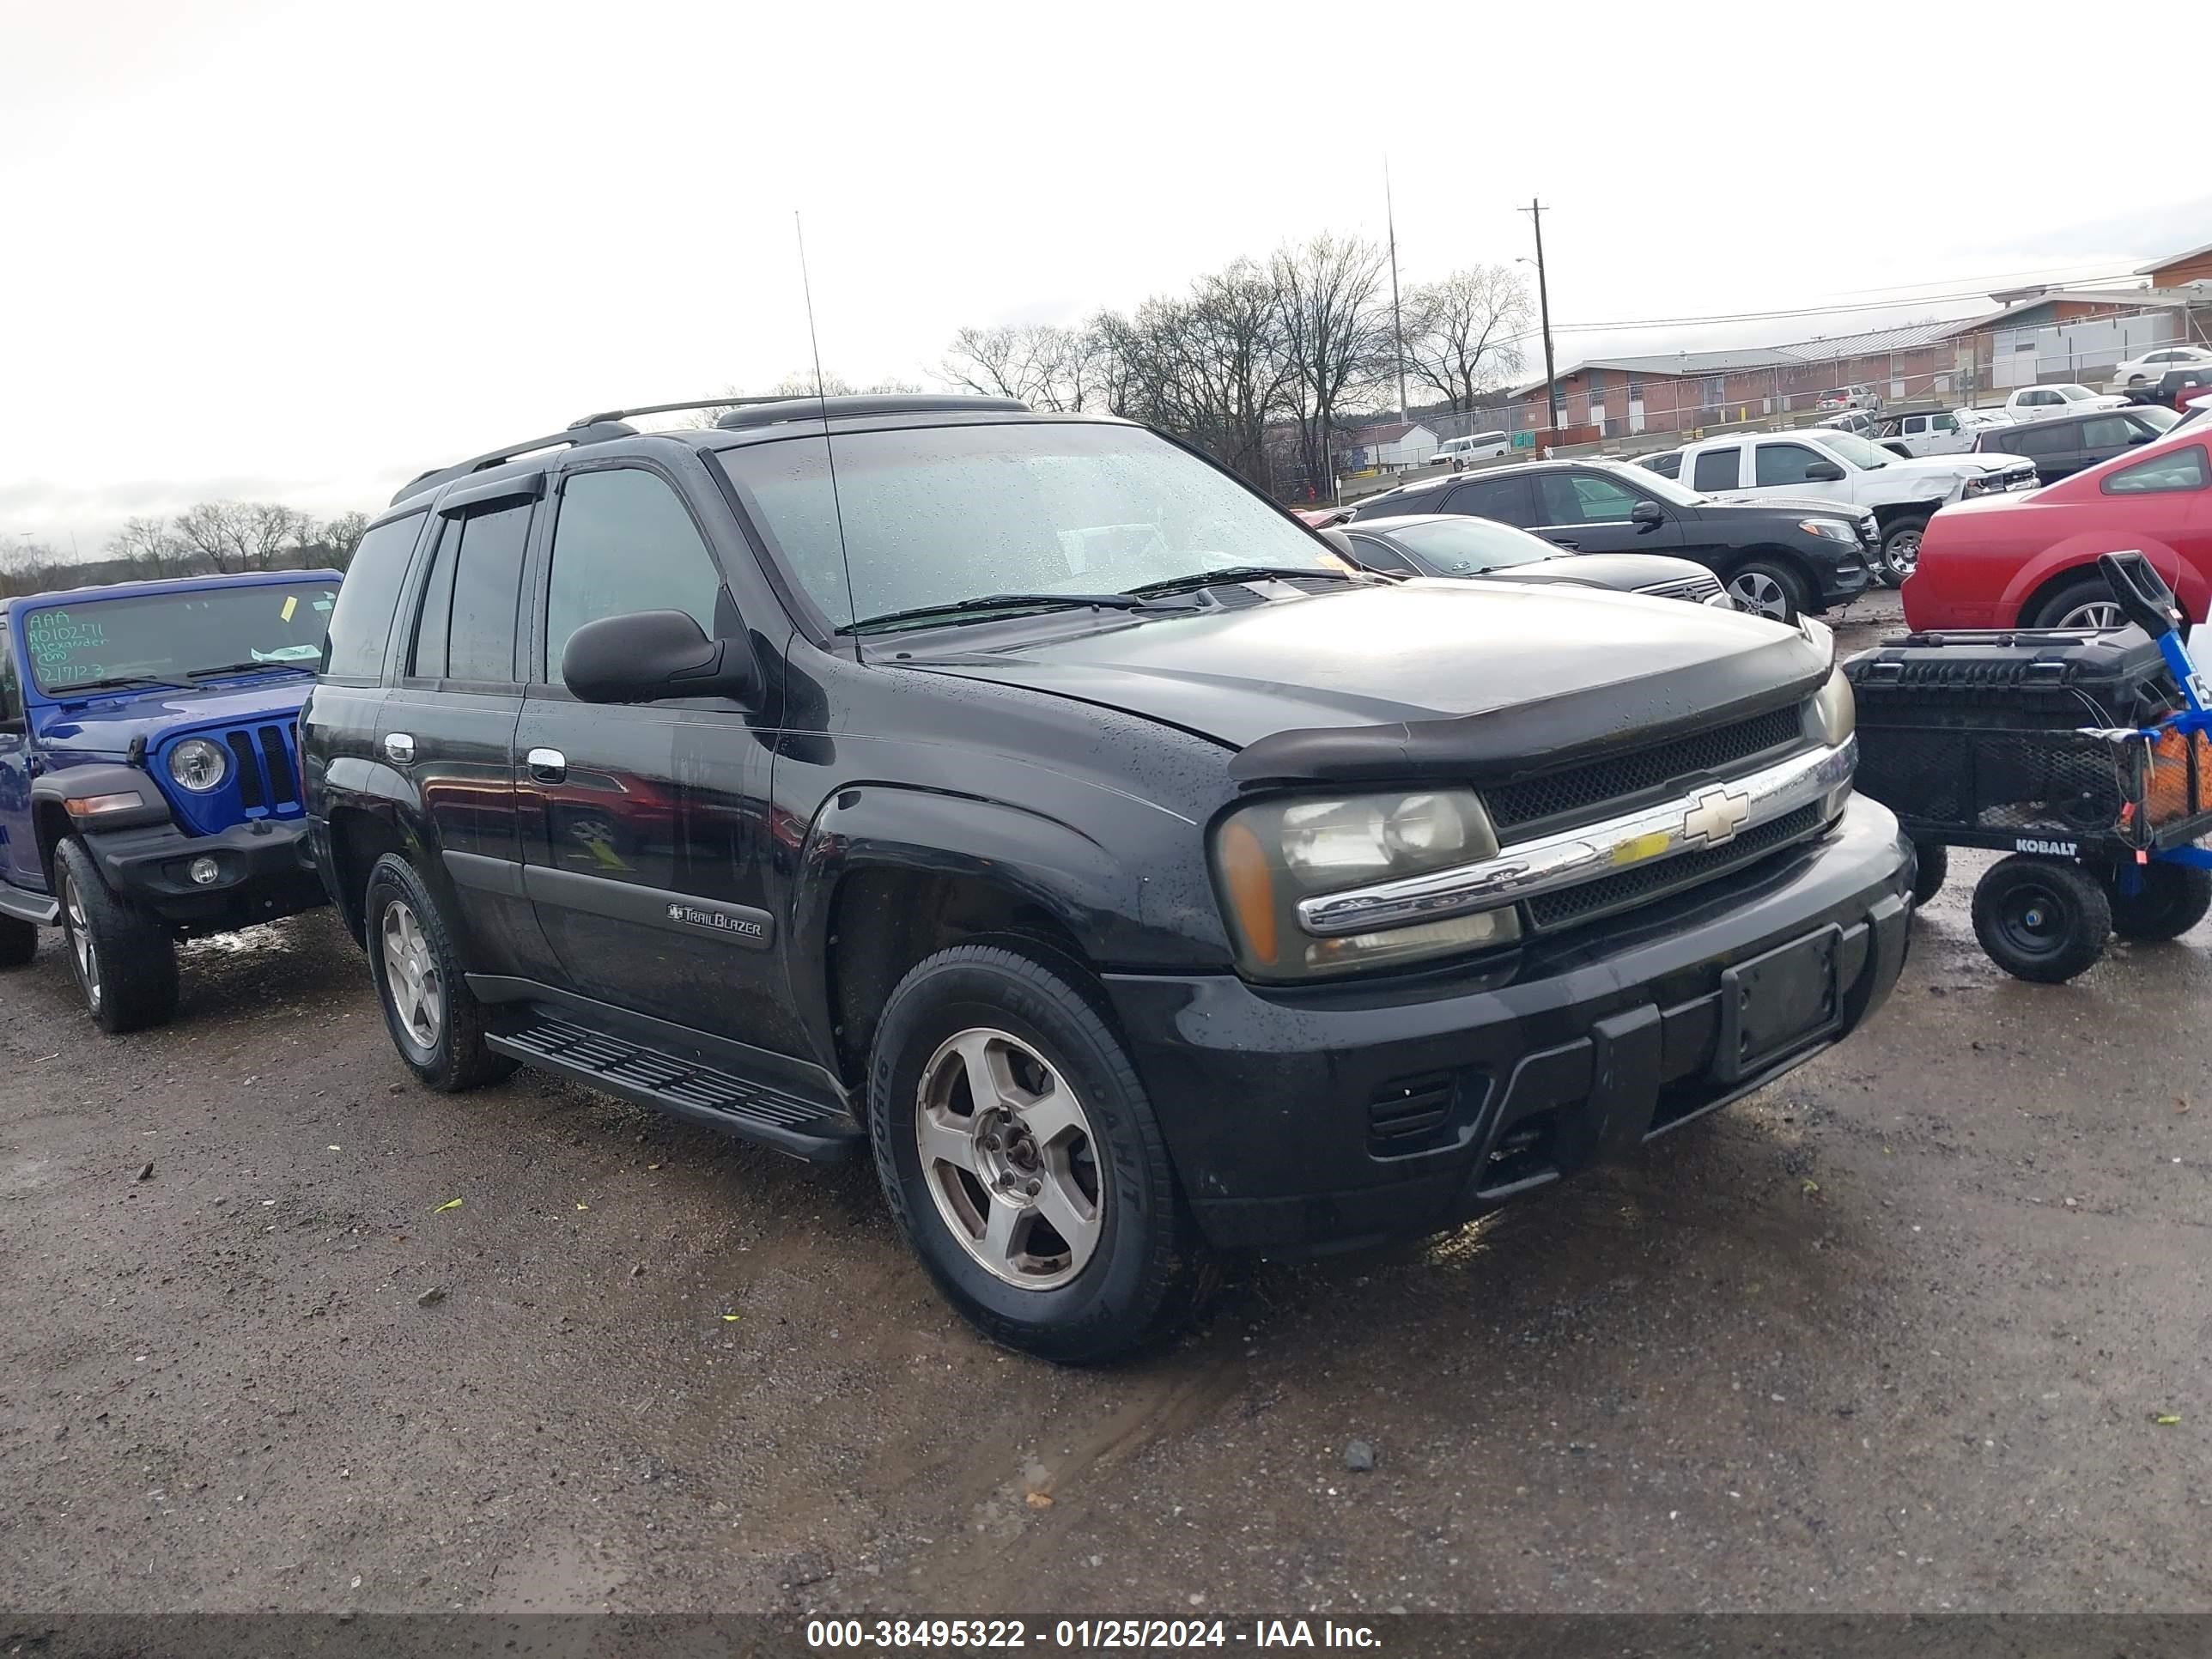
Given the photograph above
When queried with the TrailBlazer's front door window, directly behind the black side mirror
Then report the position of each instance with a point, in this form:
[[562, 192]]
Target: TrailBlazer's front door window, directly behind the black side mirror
[[625, 543]]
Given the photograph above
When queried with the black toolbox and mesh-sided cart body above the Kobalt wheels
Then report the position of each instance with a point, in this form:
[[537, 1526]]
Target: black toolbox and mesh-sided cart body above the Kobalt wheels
[[2016, 738]]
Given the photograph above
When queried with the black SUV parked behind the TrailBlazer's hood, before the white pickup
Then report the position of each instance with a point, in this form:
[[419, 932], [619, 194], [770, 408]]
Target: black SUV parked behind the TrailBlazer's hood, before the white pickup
[[1775, 559]]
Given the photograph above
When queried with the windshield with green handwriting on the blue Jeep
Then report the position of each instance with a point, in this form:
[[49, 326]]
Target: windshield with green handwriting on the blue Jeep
[[178, 636]]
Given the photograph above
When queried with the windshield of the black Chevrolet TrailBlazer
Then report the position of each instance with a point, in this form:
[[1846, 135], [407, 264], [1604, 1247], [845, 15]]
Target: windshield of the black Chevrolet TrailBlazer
[[946, 514]]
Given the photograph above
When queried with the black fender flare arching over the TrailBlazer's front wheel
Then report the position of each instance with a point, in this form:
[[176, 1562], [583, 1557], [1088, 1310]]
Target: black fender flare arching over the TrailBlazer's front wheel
[[1043, 862]]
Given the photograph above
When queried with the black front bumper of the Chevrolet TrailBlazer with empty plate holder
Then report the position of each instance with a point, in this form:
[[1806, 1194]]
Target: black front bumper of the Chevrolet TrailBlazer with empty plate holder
[[1337, 1118]]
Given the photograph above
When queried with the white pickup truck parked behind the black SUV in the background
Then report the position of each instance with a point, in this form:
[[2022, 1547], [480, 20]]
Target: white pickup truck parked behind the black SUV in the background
[[1822, 466]]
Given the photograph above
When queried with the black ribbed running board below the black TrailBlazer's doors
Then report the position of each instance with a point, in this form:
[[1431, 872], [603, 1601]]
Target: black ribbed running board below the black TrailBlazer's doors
[[682, 1087]]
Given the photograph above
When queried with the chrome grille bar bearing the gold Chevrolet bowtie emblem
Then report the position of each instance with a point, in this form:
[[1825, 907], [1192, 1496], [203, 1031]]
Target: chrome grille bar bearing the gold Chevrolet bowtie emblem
[[1711, 817]]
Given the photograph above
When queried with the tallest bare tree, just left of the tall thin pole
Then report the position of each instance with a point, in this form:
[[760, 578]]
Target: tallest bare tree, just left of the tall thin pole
[[1333, 337]]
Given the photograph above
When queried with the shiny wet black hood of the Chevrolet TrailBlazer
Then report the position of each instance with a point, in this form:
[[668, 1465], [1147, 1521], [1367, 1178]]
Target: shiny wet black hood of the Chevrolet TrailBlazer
[[1468, 676]]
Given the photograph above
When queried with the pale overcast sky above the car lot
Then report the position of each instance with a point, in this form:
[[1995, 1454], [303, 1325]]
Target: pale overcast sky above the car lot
[[295, 249]]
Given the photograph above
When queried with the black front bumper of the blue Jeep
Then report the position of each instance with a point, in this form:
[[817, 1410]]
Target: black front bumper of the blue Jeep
[[262, 873]]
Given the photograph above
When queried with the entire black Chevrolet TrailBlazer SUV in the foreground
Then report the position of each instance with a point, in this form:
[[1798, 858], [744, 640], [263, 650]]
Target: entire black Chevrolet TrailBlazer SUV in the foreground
[[1030, 804]]
